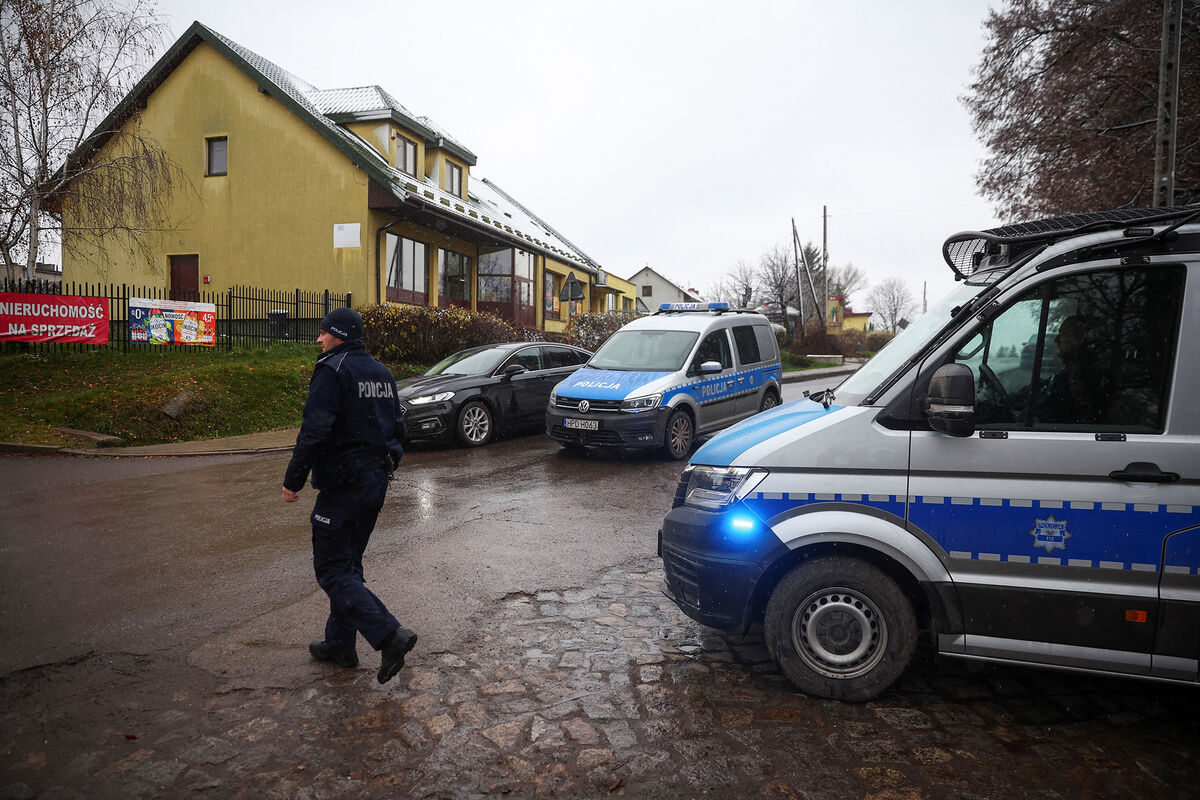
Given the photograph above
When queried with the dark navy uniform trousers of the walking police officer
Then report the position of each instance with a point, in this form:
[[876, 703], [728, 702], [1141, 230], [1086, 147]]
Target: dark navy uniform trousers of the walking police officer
[[343, 521]]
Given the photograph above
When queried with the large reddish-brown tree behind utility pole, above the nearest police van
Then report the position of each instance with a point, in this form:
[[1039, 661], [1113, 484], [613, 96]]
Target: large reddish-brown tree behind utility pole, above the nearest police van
[[1065, 99]]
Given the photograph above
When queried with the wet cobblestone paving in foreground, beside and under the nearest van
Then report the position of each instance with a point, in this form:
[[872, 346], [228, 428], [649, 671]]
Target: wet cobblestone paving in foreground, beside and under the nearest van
[[602, 691]]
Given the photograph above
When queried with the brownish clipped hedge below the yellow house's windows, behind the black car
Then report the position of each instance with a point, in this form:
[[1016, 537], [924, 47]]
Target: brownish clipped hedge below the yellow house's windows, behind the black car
[[423, 335]]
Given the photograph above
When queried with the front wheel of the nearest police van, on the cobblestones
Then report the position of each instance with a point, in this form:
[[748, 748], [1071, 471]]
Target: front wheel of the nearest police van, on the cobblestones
[[841, 628]]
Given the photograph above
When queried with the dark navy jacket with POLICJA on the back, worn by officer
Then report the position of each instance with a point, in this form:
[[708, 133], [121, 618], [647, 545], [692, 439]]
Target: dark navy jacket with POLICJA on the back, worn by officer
[[352, 420]]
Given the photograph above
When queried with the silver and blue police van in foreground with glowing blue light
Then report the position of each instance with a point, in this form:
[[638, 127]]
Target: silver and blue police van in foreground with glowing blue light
[[1015, 478]]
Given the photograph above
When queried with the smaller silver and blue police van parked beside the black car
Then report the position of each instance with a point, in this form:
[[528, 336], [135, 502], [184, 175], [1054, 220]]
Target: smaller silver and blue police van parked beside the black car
[[665, 380]]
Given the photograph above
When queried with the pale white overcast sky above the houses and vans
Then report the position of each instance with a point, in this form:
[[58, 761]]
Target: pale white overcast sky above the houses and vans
[[679, 135]]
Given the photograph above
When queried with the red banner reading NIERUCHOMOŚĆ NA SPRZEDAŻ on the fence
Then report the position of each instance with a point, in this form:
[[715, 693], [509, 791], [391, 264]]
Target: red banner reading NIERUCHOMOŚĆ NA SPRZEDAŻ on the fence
[[53, 318]]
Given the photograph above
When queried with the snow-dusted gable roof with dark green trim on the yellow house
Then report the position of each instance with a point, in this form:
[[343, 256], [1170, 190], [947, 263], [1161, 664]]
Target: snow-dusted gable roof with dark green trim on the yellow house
[[323, 111]]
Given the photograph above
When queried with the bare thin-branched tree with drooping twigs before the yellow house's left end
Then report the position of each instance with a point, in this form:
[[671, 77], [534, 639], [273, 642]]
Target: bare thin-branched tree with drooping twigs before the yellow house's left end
[[64, 67]]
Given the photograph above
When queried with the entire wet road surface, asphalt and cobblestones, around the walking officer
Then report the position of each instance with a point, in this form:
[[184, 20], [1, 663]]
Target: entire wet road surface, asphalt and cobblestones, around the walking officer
[[155, 615]]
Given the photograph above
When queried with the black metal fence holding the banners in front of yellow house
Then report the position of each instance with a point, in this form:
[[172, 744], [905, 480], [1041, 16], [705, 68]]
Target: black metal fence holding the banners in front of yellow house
[[247, 316]]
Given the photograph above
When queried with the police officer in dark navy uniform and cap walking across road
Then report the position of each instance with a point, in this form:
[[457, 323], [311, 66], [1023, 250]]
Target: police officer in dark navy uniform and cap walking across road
[[350, 440]]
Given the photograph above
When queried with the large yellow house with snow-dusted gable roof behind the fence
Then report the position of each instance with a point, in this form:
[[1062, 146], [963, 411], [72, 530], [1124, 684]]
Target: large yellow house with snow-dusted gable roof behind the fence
[[344, 190]]
